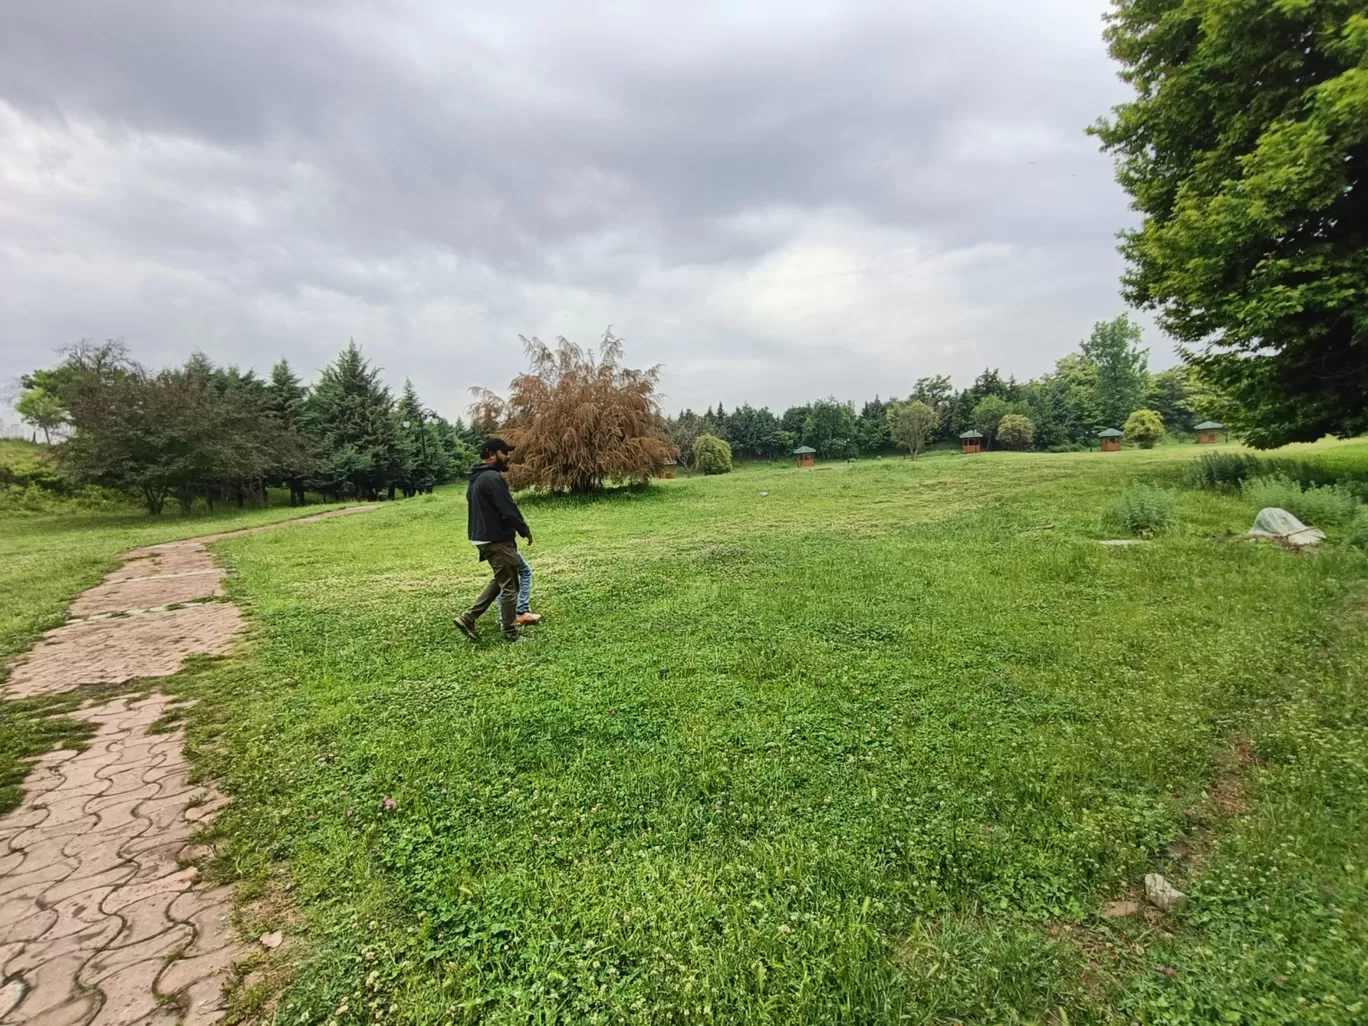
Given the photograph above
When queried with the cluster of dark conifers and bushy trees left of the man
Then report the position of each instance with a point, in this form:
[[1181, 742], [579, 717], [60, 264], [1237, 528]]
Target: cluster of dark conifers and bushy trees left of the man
[[207, 434]]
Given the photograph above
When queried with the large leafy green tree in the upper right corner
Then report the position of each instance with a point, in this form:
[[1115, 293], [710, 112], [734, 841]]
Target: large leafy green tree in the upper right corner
[[1246, 150]]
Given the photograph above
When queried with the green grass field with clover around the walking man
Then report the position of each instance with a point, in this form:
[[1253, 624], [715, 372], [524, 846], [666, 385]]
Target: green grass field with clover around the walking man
[[873, 748]]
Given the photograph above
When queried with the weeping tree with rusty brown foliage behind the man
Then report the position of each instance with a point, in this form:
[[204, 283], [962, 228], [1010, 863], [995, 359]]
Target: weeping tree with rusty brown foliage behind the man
[[579, 421]]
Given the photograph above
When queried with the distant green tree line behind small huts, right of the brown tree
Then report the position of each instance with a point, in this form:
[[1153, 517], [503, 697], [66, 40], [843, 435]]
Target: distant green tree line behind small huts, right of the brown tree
[[1105, 384]]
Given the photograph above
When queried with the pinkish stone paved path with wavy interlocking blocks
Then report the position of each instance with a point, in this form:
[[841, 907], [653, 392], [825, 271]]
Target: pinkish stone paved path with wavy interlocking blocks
[[101, 920]]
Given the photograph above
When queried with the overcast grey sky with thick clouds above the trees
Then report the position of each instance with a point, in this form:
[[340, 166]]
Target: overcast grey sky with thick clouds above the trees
[[776, 202]]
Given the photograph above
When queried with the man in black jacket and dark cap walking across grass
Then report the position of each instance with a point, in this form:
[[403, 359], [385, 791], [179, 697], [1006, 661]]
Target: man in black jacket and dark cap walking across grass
[[493, 526]]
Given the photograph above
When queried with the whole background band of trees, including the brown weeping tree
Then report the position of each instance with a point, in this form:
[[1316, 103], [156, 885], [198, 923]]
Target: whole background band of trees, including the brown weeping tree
[[209, 434]]
